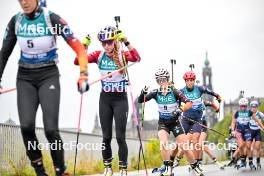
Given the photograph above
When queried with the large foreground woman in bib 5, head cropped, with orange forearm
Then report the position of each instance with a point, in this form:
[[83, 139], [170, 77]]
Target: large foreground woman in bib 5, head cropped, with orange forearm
[[38, 76]]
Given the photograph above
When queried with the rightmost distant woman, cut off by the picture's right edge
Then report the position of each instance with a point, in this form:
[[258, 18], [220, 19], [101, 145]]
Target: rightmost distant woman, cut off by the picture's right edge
[[256, 132]]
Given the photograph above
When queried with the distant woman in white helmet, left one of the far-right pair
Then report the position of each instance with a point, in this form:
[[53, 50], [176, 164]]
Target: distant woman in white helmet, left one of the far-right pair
[[241, 130]]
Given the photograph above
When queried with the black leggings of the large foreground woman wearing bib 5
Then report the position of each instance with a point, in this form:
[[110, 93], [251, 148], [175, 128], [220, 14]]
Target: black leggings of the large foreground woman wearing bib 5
[[31, 94]]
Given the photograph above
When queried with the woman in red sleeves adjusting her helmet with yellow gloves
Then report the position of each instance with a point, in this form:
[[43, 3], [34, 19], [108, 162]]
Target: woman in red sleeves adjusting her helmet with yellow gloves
[[113, 103]]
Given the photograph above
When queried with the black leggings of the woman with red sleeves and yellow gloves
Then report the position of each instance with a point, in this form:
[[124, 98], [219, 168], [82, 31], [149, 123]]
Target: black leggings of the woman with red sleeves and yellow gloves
[[114, 105]]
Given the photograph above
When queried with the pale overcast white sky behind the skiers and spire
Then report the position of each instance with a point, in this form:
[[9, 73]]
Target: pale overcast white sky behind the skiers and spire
[[232, 31]]
